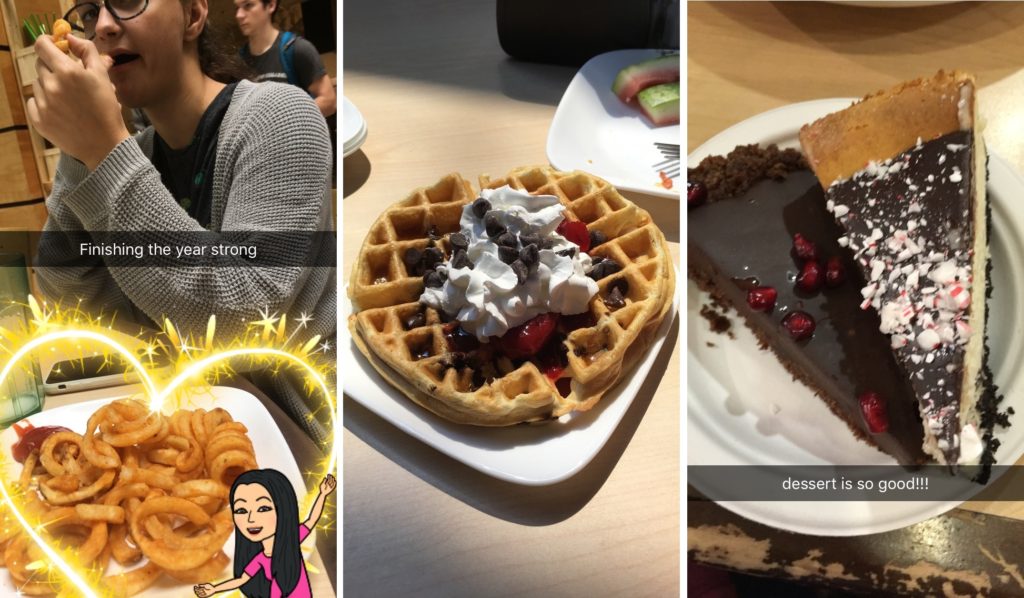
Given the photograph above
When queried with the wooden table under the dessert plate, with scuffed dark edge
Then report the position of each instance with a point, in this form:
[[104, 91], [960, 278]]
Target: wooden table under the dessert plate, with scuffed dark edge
[[745, 59]]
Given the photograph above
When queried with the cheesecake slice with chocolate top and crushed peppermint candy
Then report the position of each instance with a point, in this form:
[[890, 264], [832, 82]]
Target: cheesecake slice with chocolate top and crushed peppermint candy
[[904, 174]]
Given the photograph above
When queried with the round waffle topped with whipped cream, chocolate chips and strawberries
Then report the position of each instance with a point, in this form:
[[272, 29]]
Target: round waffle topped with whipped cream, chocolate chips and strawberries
[[522, 303]]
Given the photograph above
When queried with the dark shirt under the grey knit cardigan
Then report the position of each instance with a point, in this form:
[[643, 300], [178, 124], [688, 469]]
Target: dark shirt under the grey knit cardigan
[[188, 174]]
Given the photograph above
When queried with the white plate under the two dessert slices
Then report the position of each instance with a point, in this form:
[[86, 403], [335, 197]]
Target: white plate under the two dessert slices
[[731, 410]]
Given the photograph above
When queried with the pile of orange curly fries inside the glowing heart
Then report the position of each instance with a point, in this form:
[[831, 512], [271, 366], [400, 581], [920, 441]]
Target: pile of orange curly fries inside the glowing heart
[[140, 487]]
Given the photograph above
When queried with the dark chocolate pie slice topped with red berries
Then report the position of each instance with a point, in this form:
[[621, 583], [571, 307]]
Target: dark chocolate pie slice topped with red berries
[[757, 232]]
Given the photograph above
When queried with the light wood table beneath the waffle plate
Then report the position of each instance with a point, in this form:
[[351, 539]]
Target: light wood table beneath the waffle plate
[[440, 96]]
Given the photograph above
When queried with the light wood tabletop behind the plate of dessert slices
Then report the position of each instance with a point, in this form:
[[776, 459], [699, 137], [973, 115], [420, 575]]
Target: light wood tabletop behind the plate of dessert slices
[[748, 58]]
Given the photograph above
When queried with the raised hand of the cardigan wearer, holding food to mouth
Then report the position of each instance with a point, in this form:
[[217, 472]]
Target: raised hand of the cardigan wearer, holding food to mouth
[[74, 105]]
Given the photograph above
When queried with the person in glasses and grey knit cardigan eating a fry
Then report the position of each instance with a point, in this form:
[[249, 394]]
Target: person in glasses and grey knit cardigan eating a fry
[[224, 158]]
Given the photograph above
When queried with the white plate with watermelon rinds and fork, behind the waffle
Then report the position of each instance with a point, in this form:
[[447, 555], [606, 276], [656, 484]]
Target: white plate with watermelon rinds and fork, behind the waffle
[[594, 132]]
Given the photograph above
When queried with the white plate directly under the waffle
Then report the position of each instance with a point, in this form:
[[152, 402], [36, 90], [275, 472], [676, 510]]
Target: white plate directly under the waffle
[[526, 455]]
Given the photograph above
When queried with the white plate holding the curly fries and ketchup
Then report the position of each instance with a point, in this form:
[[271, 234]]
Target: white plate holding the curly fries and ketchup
[[272, 453]]
